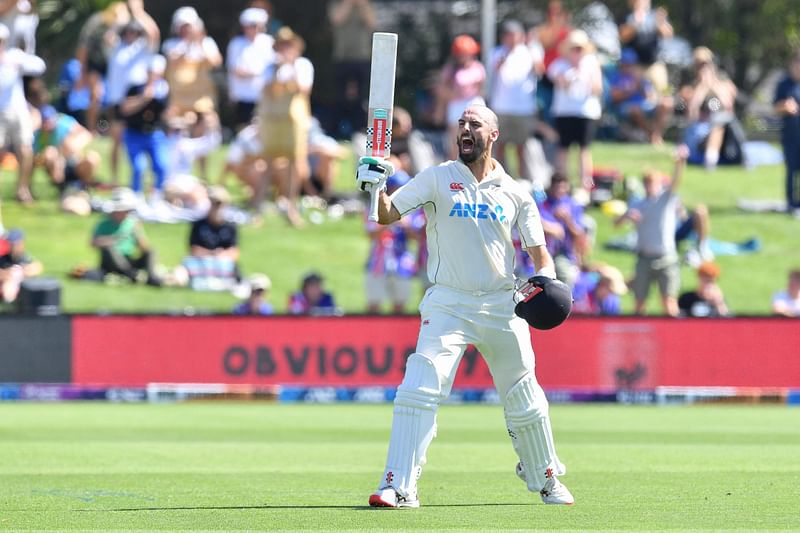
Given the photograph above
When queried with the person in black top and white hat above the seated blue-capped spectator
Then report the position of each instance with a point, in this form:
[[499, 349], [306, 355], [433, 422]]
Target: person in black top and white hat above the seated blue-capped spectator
[[643, 30]]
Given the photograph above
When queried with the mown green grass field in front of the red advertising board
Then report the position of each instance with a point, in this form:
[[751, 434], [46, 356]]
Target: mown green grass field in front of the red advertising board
[[246, 466]]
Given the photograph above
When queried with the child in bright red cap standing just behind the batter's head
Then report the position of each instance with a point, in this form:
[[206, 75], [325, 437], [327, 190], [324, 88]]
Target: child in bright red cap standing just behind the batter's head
[[460, 85]]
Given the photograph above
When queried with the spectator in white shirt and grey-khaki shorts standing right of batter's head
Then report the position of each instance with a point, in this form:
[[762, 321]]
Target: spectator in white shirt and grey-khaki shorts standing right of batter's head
[[513, 95]]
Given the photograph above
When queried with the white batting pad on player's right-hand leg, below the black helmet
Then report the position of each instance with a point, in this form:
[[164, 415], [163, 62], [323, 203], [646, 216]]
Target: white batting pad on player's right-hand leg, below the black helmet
[[527, 415]]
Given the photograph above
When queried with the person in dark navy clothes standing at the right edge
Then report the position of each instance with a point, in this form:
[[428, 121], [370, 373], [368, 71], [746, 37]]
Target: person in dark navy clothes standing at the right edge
[[787, 105]]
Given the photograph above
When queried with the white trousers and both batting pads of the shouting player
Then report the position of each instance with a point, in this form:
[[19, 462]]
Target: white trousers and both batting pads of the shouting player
[[452, 320]]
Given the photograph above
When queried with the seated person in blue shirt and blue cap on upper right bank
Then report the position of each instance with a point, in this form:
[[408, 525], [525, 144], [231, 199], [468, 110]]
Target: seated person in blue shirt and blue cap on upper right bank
[[635, 99]]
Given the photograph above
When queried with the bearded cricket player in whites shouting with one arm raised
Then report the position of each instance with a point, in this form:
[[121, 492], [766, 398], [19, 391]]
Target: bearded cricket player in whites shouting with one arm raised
[[471, 205]]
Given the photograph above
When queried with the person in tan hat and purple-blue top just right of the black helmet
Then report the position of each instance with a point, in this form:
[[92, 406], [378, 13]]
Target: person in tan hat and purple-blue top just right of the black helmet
[[598, 290]]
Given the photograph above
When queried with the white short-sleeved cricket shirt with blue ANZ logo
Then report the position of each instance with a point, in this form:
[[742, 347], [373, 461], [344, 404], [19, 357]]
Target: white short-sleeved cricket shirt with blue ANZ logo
[[469, 224]]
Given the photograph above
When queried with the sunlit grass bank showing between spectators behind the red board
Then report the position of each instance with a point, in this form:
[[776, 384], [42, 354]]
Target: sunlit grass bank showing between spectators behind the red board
[[338, 249]]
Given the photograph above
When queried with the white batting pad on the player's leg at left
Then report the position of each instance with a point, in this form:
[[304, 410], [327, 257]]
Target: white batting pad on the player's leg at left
[[413, 425]]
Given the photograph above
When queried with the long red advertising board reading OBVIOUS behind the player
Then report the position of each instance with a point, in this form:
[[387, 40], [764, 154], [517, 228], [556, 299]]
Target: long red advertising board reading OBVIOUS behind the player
[[355, 351]]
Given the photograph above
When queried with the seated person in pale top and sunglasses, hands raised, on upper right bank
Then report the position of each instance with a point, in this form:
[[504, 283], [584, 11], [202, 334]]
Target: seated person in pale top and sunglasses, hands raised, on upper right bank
[[713, 134]]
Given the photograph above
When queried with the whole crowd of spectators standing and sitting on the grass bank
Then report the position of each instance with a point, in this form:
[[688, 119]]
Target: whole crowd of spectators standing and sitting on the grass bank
[[551, 85]]
